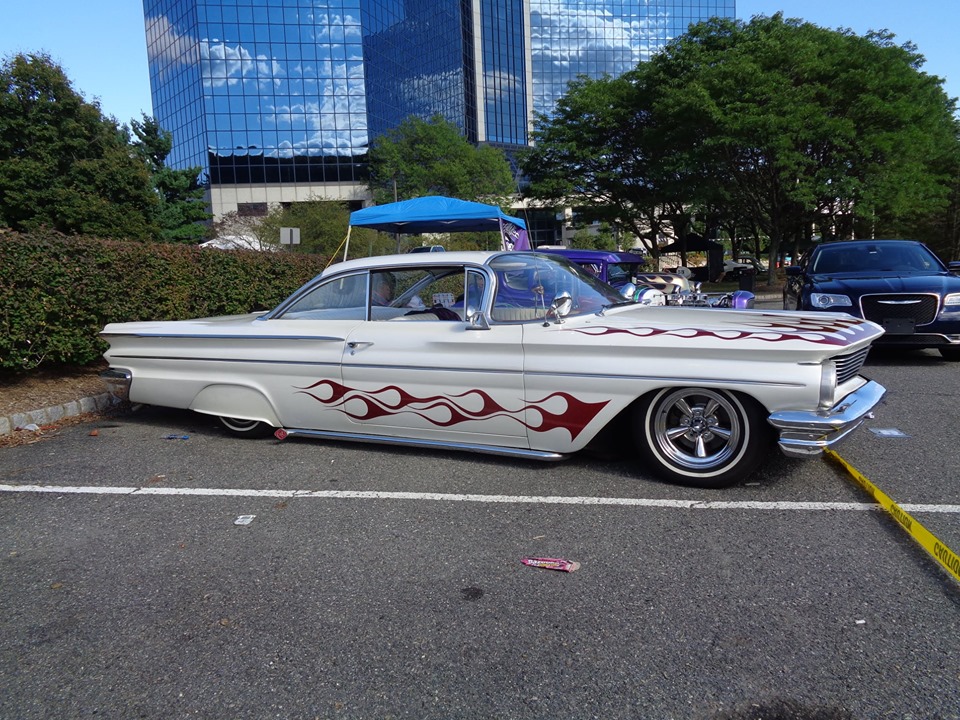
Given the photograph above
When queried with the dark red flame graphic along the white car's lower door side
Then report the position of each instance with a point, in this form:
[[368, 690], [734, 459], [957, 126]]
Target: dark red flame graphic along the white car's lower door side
[[394, 400]]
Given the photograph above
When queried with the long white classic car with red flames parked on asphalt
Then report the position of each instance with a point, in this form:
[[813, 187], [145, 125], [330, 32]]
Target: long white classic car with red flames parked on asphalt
[[513, 353]]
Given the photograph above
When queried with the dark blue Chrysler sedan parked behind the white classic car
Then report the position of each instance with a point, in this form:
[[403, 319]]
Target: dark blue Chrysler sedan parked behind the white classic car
[[899, 284]]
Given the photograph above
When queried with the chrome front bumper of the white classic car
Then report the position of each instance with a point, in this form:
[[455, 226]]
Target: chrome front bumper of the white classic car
[[806, 434]]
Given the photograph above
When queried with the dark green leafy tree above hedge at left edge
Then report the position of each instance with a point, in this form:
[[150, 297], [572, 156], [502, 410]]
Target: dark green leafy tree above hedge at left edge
[[62, 163]]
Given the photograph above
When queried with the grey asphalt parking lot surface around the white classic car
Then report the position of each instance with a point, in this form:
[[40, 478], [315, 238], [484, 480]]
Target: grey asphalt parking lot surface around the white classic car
[[380, 582]]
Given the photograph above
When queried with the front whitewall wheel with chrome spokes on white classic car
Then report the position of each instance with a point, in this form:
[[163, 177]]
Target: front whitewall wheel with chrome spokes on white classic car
[[701, 437]]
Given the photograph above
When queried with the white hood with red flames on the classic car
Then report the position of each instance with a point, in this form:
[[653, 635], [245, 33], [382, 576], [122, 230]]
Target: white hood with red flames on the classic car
[[722, 329]]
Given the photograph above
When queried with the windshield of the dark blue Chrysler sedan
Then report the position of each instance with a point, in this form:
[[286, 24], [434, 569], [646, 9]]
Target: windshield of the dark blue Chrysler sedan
[[874, 257]]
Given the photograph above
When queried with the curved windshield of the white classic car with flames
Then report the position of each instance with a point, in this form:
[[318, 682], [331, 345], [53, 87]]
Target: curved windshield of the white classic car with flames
[[528, 284]]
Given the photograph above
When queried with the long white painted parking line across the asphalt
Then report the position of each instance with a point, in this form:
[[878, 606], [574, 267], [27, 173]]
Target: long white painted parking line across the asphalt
[[455, 497]]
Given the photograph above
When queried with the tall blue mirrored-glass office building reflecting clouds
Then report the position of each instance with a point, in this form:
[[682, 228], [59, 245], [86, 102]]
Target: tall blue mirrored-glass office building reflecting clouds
[[277, 100]]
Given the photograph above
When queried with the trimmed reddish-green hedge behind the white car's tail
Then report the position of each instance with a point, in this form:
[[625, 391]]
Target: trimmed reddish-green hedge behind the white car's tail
[[57, 292]]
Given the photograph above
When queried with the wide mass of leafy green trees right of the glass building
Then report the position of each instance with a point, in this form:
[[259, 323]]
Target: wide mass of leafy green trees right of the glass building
[[774, 124]]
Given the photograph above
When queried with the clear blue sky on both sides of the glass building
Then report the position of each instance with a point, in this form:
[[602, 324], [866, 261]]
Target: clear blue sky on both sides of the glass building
[[101, 45]]
